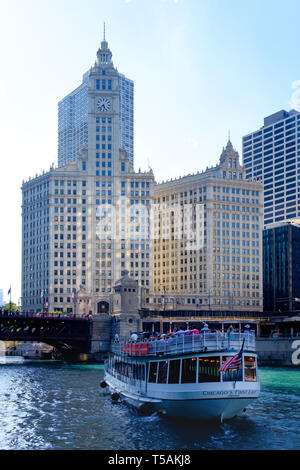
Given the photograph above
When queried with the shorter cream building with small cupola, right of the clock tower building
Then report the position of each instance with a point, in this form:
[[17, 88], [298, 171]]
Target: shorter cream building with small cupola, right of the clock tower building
[[208, 239]]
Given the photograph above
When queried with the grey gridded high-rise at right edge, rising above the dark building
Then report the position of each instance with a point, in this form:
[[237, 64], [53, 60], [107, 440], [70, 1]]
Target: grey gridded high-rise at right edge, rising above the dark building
[[272, 154]]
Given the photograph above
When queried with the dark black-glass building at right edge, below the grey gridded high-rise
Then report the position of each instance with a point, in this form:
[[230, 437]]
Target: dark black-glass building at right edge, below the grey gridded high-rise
[[281, 264]]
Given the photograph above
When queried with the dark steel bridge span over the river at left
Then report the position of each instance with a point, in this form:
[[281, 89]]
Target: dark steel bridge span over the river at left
[[72, 336]]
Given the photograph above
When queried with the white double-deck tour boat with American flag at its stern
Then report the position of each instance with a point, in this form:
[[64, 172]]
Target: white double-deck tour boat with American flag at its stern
[[198, 376]]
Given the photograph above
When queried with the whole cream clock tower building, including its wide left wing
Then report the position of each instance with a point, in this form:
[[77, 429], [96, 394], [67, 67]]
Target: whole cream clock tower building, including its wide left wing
[[87, 221]]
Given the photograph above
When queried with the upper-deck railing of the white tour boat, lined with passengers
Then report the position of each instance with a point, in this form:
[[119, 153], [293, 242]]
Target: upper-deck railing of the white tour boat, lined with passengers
[[185, 343]]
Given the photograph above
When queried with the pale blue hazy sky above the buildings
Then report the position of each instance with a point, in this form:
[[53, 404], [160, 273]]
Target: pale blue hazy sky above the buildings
[[201, 68]]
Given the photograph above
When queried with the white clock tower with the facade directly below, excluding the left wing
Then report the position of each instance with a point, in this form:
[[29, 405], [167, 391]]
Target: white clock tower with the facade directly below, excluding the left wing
[[120, 197]]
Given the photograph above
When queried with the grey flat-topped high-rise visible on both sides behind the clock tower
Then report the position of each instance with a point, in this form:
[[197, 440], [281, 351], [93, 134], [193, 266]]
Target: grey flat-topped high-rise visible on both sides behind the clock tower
[[73, 116]]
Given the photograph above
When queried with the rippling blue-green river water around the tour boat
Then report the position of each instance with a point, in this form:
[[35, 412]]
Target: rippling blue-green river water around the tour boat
[[53, 405]]
